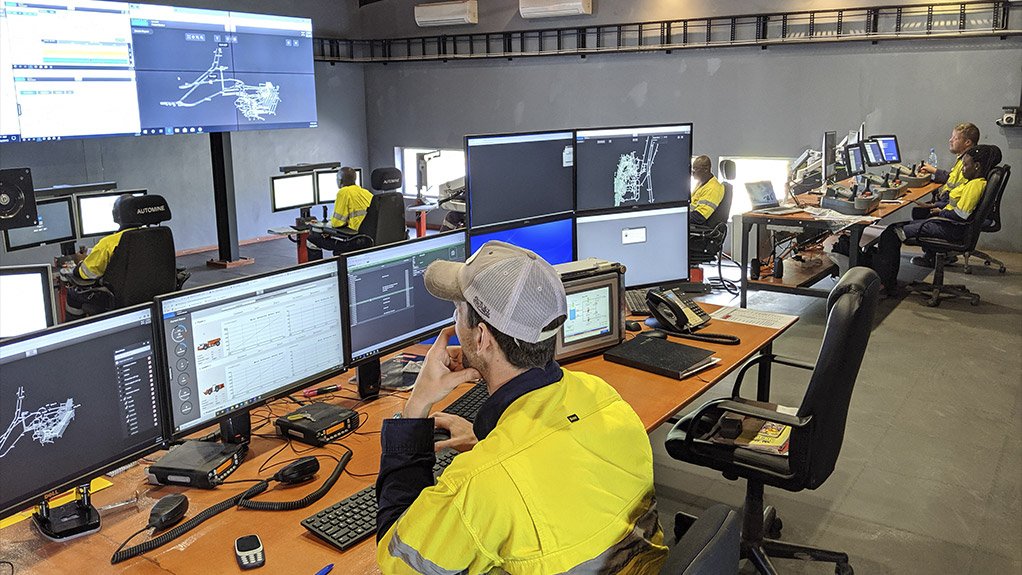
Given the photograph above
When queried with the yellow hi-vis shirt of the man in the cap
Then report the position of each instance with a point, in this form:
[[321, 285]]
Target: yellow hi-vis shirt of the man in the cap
[[564, 484]]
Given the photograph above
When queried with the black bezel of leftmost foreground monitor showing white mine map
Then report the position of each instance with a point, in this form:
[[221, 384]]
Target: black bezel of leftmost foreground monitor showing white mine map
[[121, 459]]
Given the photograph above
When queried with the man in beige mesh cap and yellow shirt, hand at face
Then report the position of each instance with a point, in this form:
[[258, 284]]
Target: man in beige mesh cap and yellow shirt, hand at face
[[562, 477]]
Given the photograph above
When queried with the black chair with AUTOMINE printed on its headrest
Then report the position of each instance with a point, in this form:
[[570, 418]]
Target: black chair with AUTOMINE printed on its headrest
[[144, 265]]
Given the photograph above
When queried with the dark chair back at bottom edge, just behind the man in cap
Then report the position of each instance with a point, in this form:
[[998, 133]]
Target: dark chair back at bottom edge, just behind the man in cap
[[709, 546]]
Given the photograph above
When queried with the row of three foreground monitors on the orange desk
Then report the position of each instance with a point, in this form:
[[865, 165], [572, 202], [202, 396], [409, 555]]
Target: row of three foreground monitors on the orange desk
[[197, 358]]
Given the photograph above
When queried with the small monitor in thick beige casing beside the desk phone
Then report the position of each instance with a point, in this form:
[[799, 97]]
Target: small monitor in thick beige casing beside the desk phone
[[596, 317]]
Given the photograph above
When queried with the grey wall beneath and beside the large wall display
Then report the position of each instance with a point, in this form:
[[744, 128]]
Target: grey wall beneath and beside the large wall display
[[179, 167]]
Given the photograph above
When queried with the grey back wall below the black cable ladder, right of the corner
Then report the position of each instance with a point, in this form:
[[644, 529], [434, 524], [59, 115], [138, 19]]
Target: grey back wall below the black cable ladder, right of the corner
[[744, 102]]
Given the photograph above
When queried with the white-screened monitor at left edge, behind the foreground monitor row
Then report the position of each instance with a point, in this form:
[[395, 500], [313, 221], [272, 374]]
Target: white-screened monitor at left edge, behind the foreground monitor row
[[26, 301]]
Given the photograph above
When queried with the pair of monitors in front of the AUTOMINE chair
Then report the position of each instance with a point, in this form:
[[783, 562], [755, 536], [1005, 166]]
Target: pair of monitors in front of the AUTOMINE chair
[[71, 215]]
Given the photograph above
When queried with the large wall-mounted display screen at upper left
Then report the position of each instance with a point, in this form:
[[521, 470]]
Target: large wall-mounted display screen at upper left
[[78, 69]]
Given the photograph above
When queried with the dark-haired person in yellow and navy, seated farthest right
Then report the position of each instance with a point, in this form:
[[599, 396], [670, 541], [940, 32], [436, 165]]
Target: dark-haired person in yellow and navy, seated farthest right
[[962, 202]]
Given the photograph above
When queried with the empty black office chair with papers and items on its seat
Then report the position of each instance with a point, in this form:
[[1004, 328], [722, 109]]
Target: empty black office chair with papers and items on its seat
[[817, 428]]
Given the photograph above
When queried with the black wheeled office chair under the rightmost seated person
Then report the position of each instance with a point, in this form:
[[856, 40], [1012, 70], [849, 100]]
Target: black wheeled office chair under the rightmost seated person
[[997, 181]]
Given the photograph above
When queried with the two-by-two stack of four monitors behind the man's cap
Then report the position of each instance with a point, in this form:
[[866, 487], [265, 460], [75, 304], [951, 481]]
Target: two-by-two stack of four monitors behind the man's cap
[[615, 194]]
